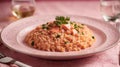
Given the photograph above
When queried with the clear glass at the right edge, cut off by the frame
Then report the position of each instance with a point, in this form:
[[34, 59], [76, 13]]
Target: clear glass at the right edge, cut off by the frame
[[110, 10]]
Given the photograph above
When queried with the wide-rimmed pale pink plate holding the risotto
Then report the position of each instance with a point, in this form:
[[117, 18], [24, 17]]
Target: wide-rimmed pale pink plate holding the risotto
[[13, 35]]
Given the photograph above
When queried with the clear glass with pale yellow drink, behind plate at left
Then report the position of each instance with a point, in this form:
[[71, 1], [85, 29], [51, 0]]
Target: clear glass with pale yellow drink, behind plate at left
[[23, 8]]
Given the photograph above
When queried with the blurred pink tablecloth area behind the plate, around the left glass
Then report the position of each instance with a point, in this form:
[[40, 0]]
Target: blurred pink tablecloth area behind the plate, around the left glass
[[51, 7]]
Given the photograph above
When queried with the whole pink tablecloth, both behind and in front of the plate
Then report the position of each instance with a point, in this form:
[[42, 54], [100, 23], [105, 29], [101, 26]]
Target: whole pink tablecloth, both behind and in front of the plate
[[107, 58]]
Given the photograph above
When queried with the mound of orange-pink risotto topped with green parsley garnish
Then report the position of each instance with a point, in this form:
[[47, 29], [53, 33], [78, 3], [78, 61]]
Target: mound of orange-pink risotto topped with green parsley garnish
[[60, 35]]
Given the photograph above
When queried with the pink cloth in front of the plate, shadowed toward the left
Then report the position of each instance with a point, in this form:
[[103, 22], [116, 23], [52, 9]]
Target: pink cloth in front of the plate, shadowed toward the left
[[108, 58]]
